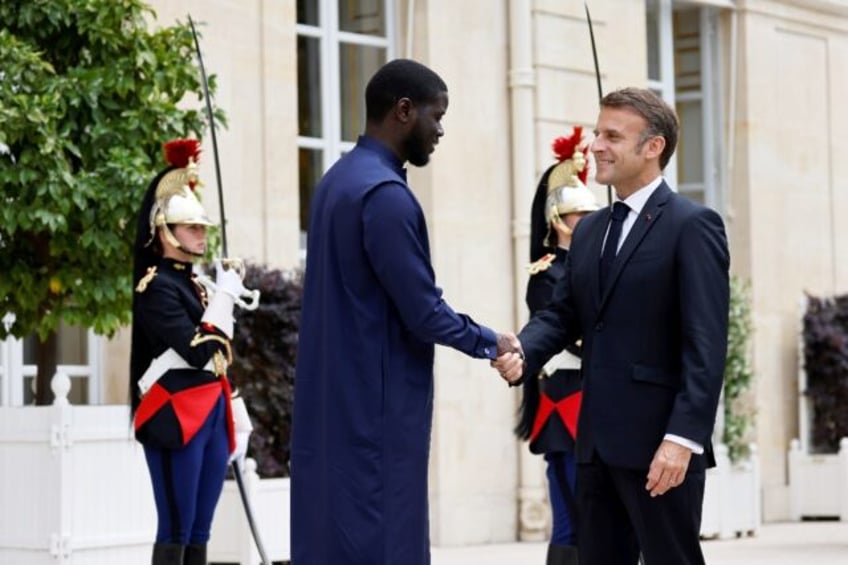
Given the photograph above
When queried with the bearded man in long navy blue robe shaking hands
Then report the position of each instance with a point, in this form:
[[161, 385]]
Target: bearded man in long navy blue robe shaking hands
[[363, 399]]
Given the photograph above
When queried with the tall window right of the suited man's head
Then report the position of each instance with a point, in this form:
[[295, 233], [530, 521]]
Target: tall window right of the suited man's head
[[683, 69]]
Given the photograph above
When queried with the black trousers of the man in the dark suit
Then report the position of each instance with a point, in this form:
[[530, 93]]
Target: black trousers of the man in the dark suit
[[618, 518]]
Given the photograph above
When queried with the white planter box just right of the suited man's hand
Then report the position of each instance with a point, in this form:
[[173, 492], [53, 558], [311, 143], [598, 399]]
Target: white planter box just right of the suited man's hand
[[732, 497]]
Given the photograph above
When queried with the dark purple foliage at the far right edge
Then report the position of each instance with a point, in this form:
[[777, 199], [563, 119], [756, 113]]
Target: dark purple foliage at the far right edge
[[826, 365]]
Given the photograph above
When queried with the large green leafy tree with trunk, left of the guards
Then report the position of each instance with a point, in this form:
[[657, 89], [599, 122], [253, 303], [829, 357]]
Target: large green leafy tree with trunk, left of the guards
[[88, 93]]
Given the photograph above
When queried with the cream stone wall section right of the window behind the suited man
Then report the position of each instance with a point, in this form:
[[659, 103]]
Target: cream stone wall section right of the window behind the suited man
[[788, 195]]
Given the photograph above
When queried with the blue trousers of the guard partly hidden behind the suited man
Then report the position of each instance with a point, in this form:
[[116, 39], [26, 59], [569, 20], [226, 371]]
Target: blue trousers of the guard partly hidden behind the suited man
[[562, 467]]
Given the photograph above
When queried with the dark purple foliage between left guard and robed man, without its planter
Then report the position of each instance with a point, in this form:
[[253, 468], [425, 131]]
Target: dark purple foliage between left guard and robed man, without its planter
[[264, 354]]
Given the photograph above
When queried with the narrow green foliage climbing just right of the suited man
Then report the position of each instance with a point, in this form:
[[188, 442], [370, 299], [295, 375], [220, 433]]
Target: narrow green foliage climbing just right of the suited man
[[738, 417]]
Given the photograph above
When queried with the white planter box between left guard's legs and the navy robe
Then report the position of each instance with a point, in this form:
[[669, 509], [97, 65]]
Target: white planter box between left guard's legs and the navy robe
[[231, 540]]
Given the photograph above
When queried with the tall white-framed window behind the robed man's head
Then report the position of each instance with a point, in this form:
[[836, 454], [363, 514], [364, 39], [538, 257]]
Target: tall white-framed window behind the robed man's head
[[340, 44]]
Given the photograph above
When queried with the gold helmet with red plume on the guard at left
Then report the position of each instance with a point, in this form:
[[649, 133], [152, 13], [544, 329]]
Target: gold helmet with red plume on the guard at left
[[176, 201]]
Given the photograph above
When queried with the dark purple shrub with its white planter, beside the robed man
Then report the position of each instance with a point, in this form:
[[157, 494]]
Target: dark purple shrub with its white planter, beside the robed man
[[264, 351]]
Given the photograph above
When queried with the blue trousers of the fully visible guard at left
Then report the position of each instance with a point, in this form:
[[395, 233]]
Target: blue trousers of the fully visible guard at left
[[187, 482]]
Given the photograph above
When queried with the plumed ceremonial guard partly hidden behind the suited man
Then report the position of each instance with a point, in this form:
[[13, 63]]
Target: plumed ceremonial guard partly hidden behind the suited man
[[551, 402]]
